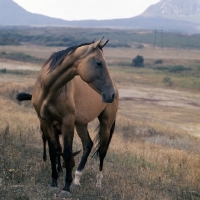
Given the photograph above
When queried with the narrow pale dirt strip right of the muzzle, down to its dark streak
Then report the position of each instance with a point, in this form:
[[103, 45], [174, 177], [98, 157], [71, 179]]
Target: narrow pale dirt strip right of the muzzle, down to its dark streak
[[164, 97]]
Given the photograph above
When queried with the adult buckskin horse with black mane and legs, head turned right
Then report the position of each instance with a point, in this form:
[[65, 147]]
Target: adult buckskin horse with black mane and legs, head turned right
[[72, 89]]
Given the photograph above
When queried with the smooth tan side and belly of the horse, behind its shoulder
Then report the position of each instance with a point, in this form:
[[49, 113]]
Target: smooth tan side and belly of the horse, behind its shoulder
[[88, 103]]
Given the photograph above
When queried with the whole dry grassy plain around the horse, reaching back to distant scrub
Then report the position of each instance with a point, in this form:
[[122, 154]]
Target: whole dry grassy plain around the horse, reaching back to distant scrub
[[155, 150]]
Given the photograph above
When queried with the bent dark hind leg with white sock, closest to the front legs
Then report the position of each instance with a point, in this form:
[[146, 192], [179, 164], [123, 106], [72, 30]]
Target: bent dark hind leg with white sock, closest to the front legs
[[87, 146]]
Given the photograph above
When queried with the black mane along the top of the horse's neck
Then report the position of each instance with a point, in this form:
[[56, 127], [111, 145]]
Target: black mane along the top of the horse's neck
[[57, 58]]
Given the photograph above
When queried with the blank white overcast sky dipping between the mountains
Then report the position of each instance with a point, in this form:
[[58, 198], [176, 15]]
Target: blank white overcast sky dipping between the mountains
[[87, 9]]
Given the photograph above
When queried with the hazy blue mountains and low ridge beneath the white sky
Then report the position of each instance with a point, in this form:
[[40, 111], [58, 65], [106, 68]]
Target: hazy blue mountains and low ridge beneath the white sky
[[13, 14]]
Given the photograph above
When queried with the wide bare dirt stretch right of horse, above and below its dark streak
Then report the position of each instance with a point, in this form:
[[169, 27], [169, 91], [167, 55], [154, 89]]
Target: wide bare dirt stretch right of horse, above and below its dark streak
[[179, 109]]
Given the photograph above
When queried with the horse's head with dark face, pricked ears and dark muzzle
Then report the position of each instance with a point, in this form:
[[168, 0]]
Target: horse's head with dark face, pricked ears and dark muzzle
[[93, 69]]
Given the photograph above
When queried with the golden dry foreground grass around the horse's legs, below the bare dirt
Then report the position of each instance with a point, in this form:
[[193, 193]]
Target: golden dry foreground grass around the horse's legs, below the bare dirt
[[146, 160]]
